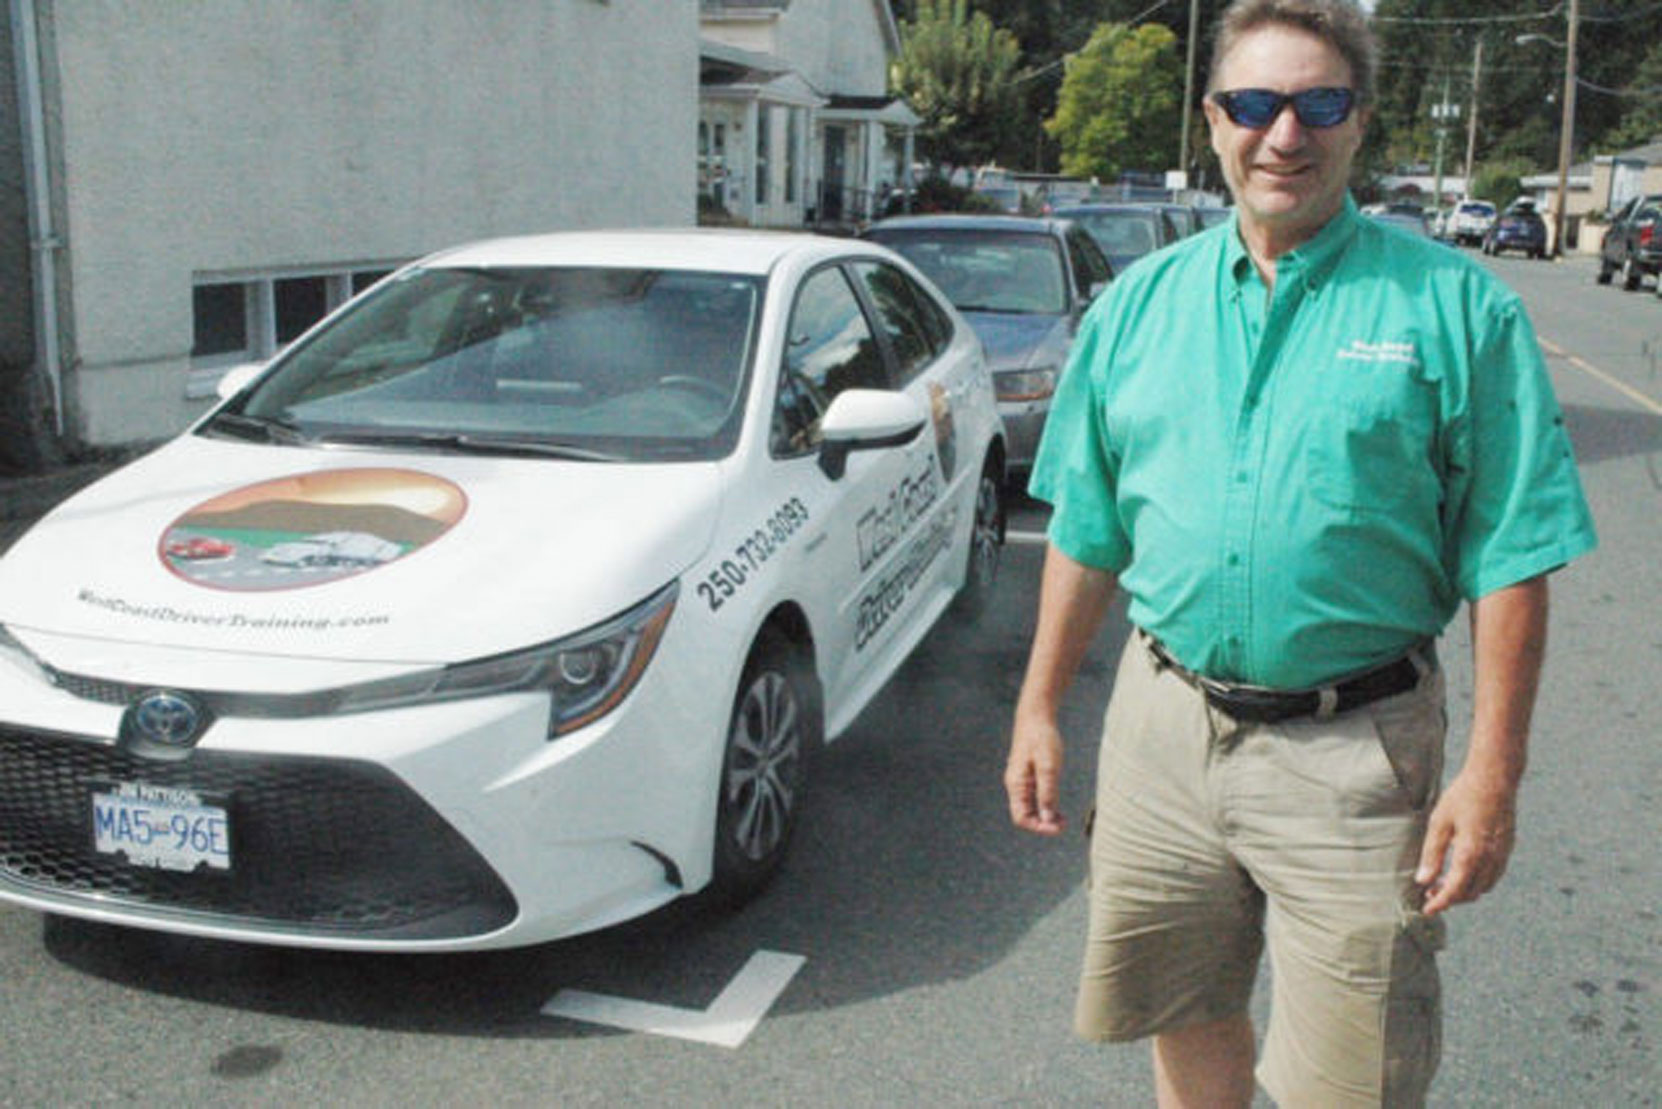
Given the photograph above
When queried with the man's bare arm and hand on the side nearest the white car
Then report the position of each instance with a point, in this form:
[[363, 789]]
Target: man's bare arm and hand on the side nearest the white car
[[1073, 603]]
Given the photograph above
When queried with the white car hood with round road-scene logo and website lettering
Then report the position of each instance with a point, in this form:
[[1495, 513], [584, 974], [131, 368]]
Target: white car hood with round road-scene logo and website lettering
[[353, 556]]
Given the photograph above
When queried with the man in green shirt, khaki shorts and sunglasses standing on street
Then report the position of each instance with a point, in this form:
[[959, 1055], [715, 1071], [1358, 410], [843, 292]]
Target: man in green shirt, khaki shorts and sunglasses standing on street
[[1297, 443]]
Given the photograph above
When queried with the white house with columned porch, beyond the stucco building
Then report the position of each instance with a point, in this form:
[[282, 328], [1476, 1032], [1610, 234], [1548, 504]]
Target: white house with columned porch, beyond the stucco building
[[795, 122]]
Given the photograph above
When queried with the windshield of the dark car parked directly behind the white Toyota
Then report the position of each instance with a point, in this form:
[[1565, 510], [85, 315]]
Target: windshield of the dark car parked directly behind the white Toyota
[[988, 272]]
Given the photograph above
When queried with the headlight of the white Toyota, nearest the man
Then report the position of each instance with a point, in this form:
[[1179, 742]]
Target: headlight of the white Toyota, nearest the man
[[586, 676]]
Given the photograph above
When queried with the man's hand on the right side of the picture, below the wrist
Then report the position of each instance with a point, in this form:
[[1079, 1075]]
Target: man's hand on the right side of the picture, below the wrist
[[1468, 842]]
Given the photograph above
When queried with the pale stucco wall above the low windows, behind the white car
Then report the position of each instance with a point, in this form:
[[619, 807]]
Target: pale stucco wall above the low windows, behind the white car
[[234, 136]]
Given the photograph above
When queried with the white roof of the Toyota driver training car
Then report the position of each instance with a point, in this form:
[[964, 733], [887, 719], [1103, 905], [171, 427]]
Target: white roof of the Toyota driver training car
[[720, 250]]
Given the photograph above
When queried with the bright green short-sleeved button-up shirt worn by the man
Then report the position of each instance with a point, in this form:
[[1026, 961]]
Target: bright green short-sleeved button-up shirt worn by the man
[[1299, 486]]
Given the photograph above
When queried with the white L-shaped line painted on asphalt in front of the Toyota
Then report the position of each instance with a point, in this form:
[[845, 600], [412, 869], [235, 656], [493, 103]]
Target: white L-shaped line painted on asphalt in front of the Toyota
[[727, 1023]]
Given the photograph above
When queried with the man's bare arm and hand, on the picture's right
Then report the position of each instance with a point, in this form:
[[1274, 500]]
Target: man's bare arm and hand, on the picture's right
[[1473, 826]]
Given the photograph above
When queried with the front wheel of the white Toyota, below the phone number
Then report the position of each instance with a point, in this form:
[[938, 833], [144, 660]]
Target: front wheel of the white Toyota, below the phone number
[[772, 734]]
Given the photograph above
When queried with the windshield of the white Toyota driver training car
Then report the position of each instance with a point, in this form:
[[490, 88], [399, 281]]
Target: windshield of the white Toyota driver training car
[[591, 363]]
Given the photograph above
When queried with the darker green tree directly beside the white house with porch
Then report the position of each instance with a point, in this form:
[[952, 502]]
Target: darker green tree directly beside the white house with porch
[[958, 72]]
